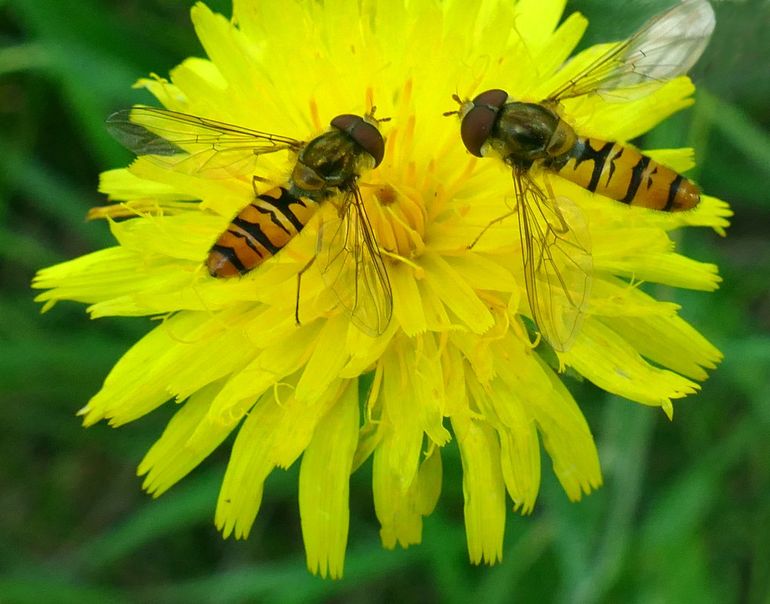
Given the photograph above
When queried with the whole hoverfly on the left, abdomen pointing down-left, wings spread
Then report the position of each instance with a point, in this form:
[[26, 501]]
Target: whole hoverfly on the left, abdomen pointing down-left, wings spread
[[327, 169]]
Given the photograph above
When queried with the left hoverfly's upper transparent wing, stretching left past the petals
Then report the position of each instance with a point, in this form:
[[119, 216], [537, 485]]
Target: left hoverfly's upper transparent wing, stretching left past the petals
[[192, 144]]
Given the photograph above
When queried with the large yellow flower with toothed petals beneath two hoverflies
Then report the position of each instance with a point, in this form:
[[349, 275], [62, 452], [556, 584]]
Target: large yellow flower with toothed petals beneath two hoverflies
[[455, 364]]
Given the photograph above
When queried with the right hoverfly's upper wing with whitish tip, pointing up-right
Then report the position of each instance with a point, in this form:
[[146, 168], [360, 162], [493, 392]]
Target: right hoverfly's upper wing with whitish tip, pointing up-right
[[666, 46]]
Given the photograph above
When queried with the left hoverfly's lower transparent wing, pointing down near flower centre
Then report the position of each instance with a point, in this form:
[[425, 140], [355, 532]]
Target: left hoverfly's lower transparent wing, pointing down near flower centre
[[352, 266]]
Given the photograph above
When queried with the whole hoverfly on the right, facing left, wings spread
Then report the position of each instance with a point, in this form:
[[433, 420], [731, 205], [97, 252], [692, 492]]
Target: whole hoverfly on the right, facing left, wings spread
[[532, 138]]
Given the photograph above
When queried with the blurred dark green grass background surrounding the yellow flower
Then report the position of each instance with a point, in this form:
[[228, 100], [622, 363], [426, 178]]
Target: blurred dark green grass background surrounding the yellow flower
[[685, 511]]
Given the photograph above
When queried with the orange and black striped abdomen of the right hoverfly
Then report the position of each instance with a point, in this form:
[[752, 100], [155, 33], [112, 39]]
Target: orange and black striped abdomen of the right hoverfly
[[622, 173]]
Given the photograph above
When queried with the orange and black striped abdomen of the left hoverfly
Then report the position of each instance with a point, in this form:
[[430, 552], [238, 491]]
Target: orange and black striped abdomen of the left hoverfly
[[259, 231]]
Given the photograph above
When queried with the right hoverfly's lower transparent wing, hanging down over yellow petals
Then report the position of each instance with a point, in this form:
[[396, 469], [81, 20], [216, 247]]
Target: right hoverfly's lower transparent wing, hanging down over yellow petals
[[556, 254]]
